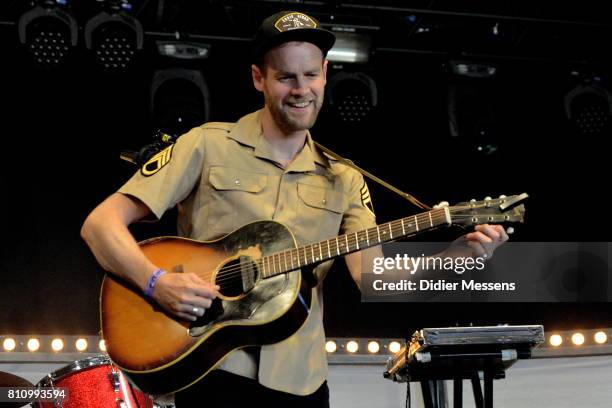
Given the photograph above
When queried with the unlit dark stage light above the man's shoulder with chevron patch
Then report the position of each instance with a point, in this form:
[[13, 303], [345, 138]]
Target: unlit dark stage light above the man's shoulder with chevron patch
[[179, 100]]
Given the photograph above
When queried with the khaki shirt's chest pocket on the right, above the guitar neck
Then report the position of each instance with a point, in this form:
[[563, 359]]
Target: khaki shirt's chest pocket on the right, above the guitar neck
[[320, 211]]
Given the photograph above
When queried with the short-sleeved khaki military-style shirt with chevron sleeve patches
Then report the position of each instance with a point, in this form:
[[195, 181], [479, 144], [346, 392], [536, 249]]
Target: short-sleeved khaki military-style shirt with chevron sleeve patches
[[222, 176]]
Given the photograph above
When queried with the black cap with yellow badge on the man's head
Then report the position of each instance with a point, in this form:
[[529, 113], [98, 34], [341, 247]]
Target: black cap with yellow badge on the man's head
[[288, 26]]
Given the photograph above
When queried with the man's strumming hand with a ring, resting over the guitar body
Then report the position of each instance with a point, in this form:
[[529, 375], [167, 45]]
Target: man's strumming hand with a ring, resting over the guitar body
[[184, 295]]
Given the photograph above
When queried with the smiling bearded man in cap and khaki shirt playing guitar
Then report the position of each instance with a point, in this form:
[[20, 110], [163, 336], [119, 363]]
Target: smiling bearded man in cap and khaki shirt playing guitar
[[224, 175]]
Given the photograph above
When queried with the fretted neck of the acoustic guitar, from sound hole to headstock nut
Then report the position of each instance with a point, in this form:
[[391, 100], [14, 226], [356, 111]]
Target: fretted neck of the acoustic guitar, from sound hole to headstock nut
[[307, 255]]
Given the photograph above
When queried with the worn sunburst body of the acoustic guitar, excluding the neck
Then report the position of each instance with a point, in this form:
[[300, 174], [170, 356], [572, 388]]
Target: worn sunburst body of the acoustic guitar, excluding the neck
[[162, 355]]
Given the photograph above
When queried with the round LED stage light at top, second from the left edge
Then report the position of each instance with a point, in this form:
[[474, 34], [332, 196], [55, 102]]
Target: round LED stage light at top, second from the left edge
[[114, 36]]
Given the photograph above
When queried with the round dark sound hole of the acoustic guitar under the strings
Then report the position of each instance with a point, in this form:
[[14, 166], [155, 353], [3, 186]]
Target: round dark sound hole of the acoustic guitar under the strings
[[237, 277]]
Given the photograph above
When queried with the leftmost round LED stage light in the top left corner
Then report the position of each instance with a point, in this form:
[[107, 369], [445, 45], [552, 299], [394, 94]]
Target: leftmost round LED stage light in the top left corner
[[49, 31]]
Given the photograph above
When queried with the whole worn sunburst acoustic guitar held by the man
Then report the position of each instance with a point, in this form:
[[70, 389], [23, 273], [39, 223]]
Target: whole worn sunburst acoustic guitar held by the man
[[264, 294]]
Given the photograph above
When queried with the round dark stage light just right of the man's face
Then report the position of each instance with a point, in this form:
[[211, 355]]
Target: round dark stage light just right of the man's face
[[352, 96]]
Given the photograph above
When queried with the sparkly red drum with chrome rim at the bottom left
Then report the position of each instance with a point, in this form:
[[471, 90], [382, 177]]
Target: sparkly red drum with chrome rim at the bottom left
[[94, 383]]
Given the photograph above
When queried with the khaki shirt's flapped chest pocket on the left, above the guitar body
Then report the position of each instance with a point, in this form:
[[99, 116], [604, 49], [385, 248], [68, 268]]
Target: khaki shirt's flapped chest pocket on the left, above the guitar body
[[236, 197]]
